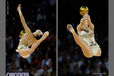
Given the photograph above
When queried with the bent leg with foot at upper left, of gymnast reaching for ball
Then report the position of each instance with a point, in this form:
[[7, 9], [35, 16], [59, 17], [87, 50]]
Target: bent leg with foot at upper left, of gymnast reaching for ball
[[86, 51]]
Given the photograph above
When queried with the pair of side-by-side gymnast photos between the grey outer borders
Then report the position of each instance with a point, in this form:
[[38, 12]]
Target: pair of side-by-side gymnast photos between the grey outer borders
[[82, 37]]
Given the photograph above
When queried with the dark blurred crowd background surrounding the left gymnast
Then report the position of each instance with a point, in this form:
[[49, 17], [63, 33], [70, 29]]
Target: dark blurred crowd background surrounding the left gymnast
[[39, 14]]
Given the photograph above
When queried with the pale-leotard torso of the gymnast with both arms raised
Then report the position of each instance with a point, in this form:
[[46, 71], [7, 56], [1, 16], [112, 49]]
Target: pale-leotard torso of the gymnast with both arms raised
[[87, 35]]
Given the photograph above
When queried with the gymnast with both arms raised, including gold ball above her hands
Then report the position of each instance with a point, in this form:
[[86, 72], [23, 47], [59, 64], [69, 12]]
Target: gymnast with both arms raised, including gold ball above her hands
[[85, 38]]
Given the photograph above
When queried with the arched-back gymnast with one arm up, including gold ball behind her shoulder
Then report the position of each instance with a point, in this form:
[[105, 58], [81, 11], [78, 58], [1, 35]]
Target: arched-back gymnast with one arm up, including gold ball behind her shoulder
[[28, 43]]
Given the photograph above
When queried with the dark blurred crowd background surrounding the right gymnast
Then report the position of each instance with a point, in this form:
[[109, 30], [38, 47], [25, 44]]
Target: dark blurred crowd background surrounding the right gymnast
[[71, 61]]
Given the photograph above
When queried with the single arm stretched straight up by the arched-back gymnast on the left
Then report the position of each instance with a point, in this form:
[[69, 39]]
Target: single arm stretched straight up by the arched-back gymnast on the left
[[22, 19]]
